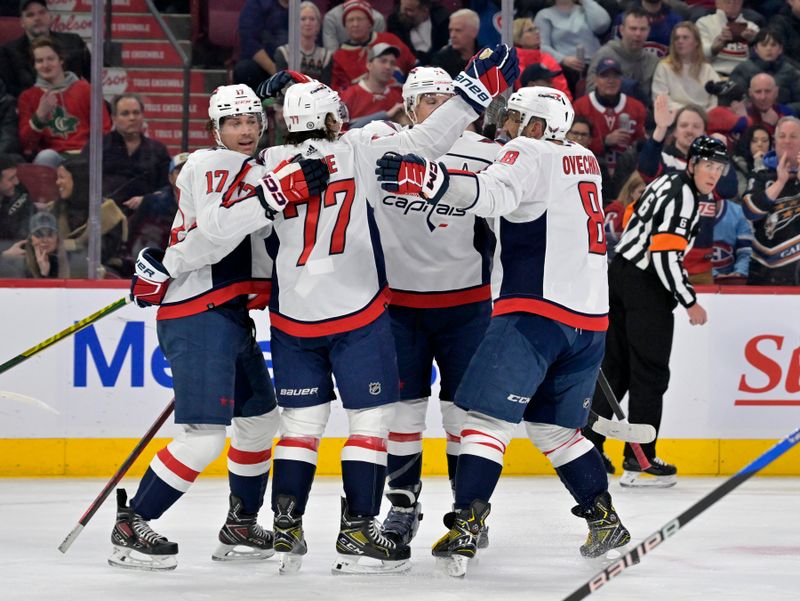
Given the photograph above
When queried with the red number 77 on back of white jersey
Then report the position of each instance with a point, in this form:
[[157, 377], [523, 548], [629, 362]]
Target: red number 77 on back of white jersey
[[339, 194]]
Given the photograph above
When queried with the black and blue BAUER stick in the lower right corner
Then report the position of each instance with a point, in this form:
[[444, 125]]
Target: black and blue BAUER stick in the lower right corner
[[635, 555]]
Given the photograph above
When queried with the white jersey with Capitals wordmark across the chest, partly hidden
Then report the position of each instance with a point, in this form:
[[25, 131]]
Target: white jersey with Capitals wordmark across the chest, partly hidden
[[438, 256]]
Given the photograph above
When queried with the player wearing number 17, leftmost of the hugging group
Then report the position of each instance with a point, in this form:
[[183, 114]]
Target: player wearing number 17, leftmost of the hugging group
[[211, 275]]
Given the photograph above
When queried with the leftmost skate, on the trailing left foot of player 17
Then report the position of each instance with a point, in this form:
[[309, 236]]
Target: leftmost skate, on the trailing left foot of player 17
[[136, 545]]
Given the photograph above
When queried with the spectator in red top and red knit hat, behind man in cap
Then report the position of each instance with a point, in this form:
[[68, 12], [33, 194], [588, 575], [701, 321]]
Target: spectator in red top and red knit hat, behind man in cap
[[350, 61]]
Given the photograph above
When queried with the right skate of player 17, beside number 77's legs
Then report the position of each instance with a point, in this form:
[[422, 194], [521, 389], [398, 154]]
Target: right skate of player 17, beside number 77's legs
[[241, 538]]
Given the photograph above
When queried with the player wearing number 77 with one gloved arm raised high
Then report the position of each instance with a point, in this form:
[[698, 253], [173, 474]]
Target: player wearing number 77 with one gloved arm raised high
[[327, 309]]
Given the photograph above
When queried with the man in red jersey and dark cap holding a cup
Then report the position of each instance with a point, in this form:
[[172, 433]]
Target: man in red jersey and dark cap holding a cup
[[617, 119]]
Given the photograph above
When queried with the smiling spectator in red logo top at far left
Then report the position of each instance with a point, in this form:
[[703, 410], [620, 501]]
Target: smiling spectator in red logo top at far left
[[54, 112]]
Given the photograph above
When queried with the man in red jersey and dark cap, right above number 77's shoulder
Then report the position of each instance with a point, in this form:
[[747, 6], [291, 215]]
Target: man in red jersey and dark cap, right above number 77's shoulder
[[376, 95]]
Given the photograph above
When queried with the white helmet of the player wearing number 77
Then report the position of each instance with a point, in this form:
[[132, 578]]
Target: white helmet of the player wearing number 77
[[307, 105]]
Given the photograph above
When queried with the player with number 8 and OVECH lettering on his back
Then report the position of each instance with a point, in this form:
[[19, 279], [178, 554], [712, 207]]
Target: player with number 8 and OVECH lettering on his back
[[542, 352]]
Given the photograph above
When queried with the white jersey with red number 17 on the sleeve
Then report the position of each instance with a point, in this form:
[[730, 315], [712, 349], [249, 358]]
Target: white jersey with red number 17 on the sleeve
[[212, 256]]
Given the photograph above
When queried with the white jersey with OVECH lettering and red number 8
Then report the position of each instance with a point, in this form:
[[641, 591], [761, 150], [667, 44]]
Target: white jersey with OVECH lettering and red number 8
[[551, 240]]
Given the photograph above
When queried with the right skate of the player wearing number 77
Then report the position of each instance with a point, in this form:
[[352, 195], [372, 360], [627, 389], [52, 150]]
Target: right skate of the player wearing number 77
[[361, 543]]
